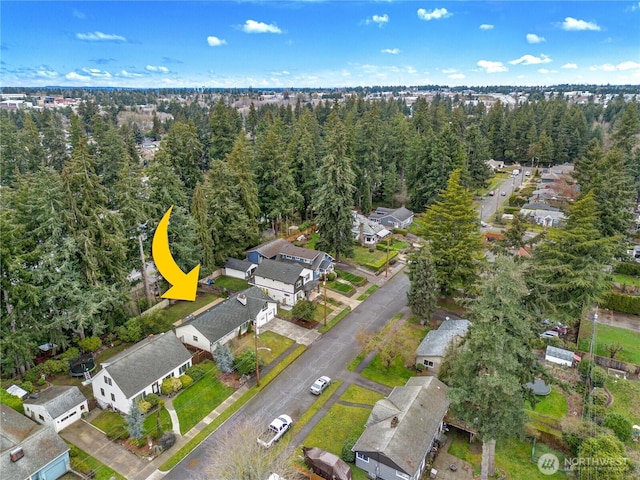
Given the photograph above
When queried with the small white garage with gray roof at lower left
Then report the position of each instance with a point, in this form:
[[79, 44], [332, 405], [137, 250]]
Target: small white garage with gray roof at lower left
[[58, 406]]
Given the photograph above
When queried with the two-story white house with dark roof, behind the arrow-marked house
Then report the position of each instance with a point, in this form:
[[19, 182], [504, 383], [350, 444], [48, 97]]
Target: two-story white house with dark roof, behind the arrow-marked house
[[286, 282]]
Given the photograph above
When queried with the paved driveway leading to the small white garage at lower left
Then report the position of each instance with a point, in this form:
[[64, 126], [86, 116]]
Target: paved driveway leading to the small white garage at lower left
[[88, 438]]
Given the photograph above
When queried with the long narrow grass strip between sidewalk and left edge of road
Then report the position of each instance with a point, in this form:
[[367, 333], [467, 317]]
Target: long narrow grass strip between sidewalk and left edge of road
[[228, 412]]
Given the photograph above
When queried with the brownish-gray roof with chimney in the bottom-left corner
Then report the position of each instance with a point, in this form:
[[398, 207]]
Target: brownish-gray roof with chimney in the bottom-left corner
[[40, 443]]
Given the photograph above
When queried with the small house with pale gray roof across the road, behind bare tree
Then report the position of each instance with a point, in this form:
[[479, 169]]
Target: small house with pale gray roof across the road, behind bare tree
[[433, 346]]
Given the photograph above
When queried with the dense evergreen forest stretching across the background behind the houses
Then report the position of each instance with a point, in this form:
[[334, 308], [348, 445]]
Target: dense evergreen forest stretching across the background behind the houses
[[78, 195]]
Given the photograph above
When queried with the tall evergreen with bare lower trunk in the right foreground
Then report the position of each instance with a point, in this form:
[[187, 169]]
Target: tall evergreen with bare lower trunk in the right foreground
[[488, 377]]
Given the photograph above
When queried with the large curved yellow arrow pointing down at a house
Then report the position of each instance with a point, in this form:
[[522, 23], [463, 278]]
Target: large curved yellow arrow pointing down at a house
[[184, 284]]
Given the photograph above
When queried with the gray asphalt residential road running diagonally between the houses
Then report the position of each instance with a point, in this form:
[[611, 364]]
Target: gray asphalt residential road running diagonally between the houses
[[289, 392]]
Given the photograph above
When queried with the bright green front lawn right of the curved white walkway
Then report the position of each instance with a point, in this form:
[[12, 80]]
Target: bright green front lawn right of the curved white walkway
[[195, 403]]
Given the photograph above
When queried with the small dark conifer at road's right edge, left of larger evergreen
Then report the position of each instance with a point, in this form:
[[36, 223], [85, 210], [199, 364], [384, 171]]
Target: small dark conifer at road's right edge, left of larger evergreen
[[423, 291]]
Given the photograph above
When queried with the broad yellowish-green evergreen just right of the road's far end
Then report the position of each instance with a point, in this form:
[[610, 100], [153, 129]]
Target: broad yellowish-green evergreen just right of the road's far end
[[450, 226]]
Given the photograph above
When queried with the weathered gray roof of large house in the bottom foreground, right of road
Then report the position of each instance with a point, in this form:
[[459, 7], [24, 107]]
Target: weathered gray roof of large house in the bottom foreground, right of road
[[419, 407]]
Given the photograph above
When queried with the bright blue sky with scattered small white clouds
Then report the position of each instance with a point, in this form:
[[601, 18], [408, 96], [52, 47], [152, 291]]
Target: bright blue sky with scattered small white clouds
[[307, 43]]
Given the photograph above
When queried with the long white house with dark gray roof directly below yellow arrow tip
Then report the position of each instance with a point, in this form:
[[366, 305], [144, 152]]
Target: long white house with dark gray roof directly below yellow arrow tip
[[227, 320]]
